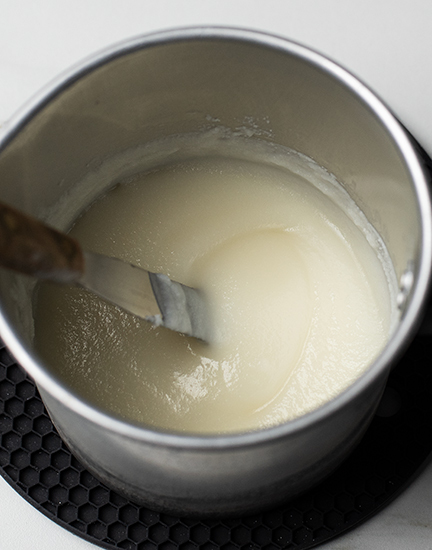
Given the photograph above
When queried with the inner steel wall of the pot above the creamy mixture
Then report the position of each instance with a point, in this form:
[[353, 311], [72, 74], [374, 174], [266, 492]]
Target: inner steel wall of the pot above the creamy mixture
[[178, 87]]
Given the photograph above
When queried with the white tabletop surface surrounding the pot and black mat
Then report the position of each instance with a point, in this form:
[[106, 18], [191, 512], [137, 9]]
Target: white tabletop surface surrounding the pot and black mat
[[387, 43]]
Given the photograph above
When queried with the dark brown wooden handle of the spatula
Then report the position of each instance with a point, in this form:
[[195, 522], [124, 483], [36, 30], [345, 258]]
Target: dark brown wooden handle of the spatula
[[33, 248]]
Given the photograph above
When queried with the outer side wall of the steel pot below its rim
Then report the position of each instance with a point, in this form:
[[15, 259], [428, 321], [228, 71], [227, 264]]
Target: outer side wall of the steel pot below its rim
[[220, 481]]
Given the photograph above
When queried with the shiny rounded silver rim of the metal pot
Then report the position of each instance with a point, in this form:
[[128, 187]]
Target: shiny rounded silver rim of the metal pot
[[402, 334]]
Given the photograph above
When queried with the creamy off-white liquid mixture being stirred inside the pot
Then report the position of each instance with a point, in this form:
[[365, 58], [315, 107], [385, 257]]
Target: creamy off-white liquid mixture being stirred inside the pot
[[299, 301]]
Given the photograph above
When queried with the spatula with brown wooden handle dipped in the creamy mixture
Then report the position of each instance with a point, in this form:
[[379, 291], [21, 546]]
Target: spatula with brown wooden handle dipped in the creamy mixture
[[30, 247]]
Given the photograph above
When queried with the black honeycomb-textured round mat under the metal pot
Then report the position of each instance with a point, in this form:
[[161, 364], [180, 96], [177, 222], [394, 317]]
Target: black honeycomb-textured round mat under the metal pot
[[35, 461]]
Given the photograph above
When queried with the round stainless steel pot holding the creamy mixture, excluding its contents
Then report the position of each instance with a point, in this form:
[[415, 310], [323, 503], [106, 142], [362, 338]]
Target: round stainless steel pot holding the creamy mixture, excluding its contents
[[176, 82]]
